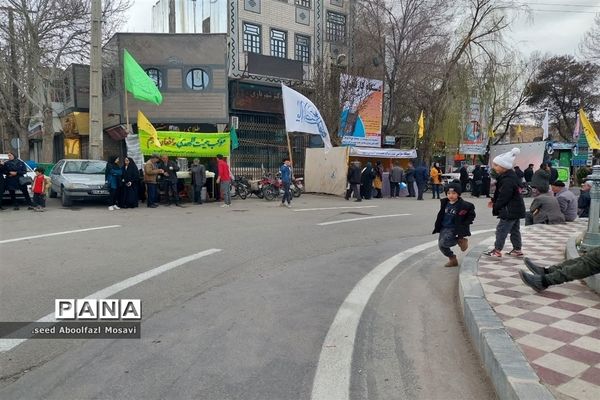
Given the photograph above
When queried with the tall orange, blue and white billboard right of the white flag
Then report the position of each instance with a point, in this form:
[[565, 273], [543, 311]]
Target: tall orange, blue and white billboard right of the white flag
[[362, 110]]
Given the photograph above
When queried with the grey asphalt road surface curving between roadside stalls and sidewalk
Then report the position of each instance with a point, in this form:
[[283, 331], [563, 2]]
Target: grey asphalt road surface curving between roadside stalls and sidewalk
[[248, 321]]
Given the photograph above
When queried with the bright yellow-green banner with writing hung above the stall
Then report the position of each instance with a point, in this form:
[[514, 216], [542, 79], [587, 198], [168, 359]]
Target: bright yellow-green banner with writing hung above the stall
[[186, 144]]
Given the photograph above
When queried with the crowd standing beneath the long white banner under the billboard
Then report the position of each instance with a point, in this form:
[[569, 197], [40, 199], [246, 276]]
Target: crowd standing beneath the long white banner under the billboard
[[367, 182]]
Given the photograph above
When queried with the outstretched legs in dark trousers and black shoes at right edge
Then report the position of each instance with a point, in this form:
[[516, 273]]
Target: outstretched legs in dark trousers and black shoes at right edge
[[566, 271]]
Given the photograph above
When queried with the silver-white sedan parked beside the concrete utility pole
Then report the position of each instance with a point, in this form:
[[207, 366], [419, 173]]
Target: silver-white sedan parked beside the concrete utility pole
[[78, 180]]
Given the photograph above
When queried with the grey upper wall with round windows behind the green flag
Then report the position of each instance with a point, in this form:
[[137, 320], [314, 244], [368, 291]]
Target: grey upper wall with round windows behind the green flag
[[174, 56]]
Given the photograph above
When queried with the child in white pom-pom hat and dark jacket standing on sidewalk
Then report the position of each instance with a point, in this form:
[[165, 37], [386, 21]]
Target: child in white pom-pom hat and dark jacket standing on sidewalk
[[507, 204]]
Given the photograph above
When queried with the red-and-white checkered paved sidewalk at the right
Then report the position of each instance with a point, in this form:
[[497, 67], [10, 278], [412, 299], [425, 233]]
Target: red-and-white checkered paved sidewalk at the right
[[557, 330]]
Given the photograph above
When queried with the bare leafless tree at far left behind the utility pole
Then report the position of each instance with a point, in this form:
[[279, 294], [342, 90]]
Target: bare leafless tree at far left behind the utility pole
[[42, 37]]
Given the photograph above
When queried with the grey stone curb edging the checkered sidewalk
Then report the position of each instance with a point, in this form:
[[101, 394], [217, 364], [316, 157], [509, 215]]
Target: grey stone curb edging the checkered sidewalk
[[508, 369]]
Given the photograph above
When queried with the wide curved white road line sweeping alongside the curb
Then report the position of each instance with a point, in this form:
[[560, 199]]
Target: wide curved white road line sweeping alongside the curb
[[333, 373]]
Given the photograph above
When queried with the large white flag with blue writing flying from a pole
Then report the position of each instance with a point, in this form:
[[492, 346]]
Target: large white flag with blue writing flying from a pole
[[301, 115]]
